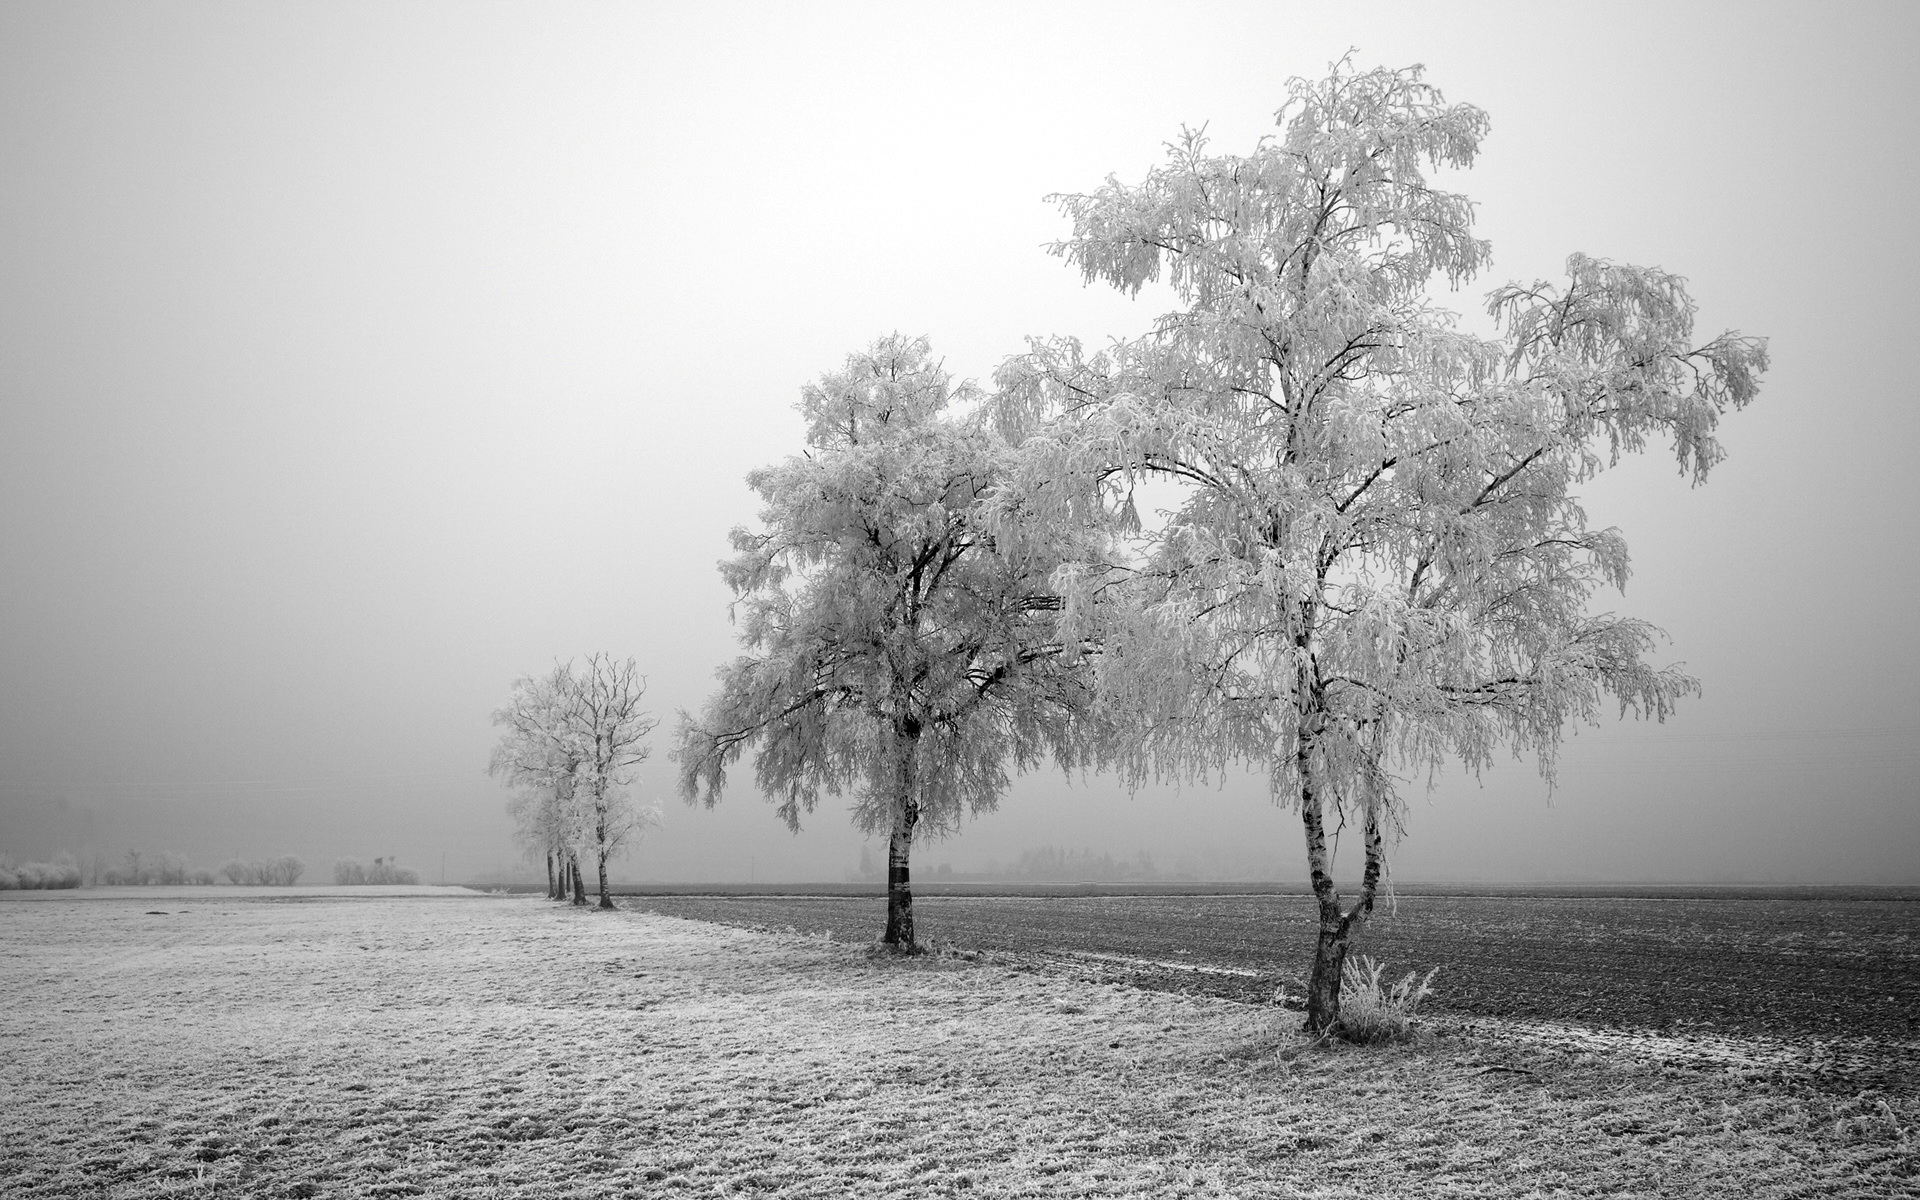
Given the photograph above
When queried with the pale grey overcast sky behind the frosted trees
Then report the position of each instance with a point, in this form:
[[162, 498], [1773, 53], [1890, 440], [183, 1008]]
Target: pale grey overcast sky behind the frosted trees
[[360, 358]]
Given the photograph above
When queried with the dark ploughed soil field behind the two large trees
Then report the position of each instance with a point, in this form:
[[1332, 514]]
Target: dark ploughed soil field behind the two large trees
[[1833, 971]]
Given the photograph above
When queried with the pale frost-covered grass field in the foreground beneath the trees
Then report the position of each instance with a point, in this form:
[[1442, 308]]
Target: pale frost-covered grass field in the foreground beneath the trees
[[506, 1047]]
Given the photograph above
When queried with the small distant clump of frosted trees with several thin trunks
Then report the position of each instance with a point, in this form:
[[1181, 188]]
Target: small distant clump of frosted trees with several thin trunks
[[569, 746]]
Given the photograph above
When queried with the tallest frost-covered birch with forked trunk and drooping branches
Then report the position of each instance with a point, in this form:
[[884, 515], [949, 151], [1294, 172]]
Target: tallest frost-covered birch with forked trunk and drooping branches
[[1376, 562]]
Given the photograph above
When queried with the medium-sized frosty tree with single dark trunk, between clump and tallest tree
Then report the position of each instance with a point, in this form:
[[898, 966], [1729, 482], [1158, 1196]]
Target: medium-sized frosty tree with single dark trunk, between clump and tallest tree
[[898, 650]]
